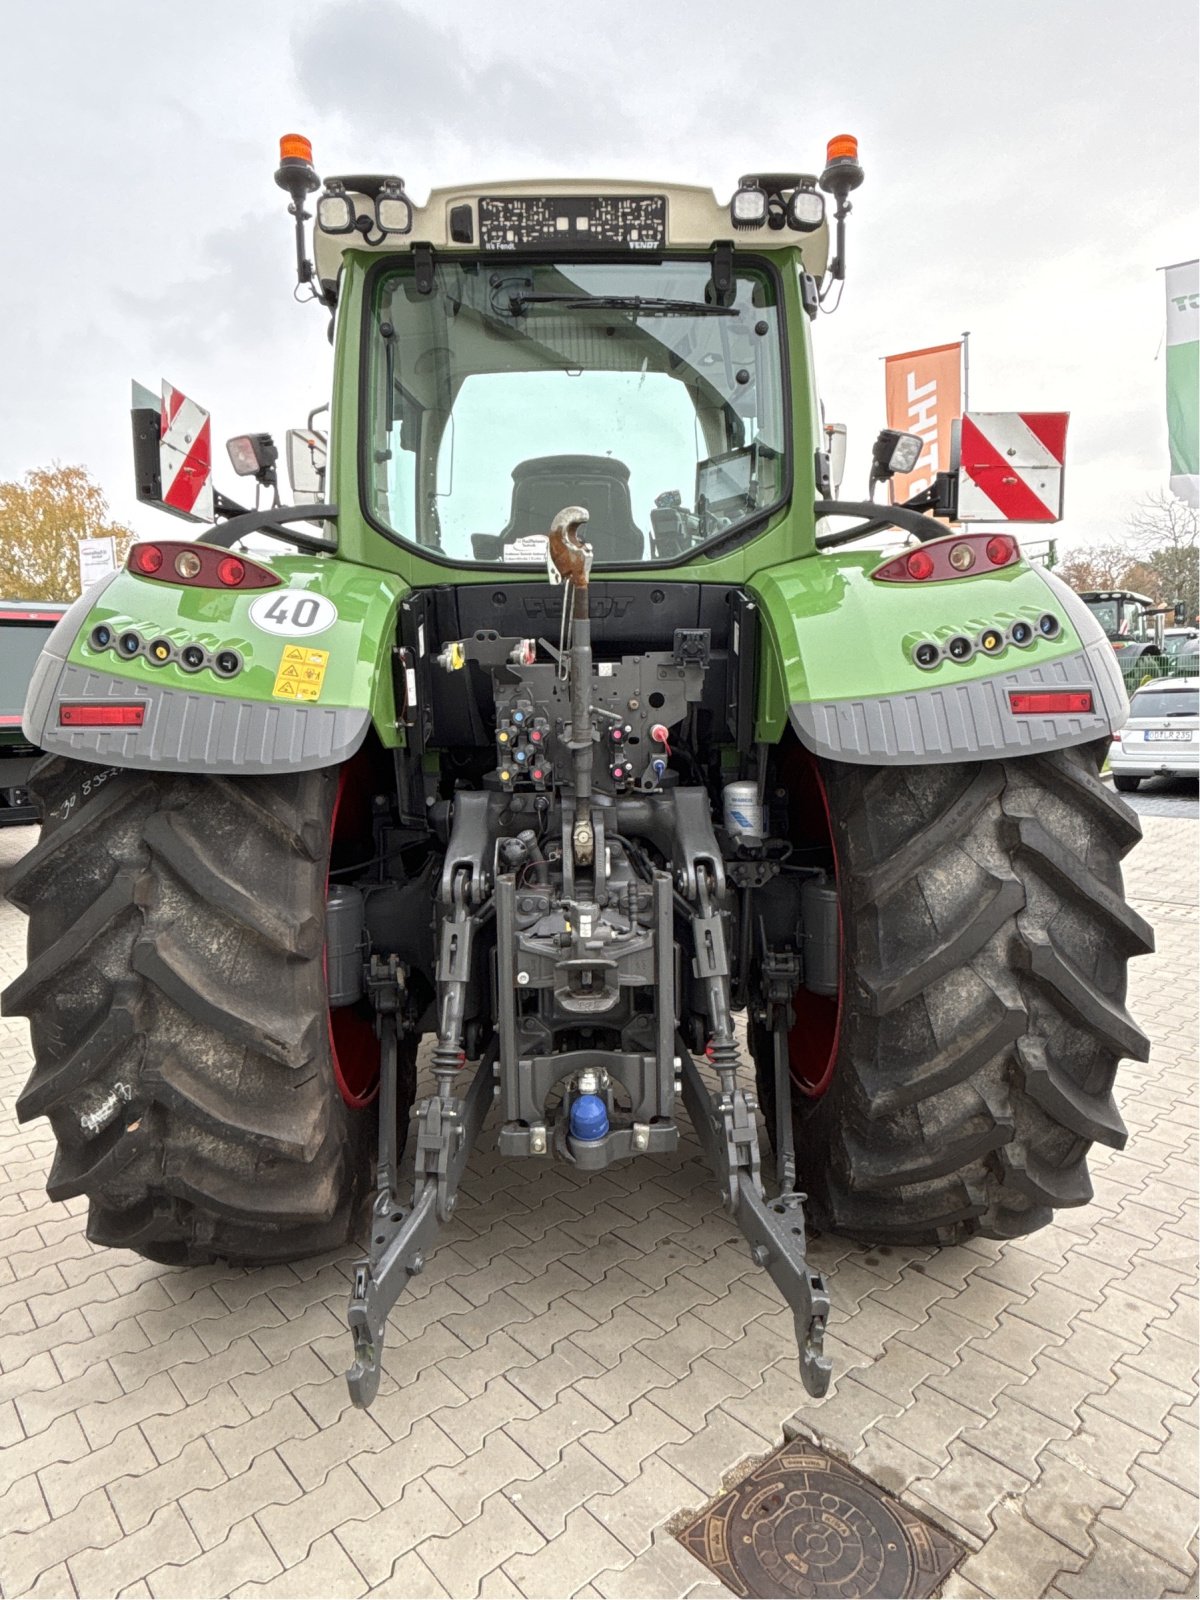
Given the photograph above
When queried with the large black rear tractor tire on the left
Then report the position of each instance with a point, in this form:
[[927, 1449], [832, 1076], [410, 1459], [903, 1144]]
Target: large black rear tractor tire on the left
[[178, 1012]]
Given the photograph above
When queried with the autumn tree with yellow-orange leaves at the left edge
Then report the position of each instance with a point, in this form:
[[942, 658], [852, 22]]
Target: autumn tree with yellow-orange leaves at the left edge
[[42, 519]]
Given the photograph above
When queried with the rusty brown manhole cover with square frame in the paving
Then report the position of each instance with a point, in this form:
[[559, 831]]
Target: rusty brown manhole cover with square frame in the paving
[[804, 1524]]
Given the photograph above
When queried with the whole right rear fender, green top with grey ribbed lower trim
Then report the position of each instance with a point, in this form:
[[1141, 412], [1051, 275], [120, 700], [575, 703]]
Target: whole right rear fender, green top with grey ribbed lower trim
[[839, 663]]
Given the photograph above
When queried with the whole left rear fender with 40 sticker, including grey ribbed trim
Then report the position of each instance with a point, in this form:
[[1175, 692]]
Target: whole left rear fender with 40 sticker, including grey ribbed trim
[[300, 698]]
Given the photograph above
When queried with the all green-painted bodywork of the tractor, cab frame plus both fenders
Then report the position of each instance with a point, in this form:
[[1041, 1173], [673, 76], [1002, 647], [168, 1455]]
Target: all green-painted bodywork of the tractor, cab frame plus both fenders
[[830, 630]]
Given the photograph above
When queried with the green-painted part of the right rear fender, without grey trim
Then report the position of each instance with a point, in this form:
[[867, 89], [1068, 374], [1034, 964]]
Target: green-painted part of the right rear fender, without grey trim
[[833, 633]]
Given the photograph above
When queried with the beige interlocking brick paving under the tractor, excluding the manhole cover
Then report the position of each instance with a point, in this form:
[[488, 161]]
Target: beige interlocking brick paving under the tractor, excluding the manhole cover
[[586, 1361]]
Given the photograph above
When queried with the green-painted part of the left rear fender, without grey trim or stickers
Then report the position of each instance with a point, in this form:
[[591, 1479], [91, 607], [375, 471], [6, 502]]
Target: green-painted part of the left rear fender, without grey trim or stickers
[[359, 642]]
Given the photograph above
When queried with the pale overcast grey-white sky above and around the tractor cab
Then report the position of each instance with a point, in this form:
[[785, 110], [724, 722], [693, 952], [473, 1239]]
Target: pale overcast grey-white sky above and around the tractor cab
[[1030, 166]]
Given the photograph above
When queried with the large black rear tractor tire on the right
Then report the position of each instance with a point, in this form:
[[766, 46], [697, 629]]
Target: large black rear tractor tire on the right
[[985, 948]]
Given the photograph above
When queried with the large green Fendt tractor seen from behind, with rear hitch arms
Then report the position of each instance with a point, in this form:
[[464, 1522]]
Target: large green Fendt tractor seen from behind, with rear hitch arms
[[575, 716]]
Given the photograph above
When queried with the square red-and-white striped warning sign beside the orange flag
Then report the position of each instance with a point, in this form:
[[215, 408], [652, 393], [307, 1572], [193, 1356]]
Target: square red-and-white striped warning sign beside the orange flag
[[1010, 466]]
